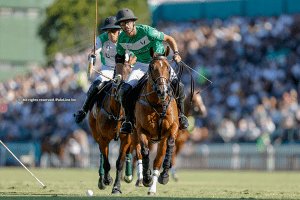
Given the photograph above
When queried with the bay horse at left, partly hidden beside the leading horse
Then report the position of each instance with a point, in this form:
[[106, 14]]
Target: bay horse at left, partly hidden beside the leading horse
[[104, 122]]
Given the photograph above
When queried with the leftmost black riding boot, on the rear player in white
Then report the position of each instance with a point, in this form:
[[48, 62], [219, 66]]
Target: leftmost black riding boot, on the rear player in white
[[93, 91]]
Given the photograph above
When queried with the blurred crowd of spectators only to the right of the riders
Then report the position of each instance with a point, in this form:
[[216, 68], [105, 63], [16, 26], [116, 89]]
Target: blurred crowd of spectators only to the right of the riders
[[253, 64]]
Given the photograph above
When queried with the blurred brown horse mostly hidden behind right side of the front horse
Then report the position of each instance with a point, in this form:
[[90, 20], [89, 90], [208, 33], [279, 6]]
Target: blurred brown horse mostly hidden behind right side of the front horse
[[197, 108]]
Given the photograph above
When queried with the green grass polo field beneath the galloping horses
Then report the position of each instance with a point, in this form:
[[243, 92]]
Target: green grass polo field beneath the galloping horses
[[17, 183]]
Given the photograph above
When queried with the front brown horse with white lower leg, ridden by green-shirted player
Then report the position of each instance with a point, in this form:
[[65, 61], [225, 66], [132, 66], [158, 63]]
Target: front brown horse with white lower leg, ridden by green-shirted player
[[156, 118]]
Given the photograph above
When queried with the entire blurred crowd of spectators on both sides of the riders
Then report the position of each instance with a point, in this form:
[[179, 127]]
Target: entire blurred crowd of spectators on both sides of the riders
[[253, 64]]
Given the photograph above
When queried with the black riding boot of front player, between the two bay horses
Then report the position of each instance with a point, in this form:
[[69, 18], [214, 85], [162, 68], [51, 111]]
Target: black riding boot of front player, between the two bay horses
[[128, 123]]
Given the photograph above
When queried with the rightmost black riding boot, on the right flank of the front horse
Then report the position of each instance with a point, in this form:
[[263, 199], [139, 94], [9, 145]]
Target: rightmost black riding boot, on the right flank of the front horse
[[183, 121]]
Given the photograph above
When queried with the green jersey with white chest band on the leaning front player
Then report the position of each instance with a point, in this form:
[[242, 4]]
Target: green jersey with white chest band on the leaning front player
[[141, 42]]
